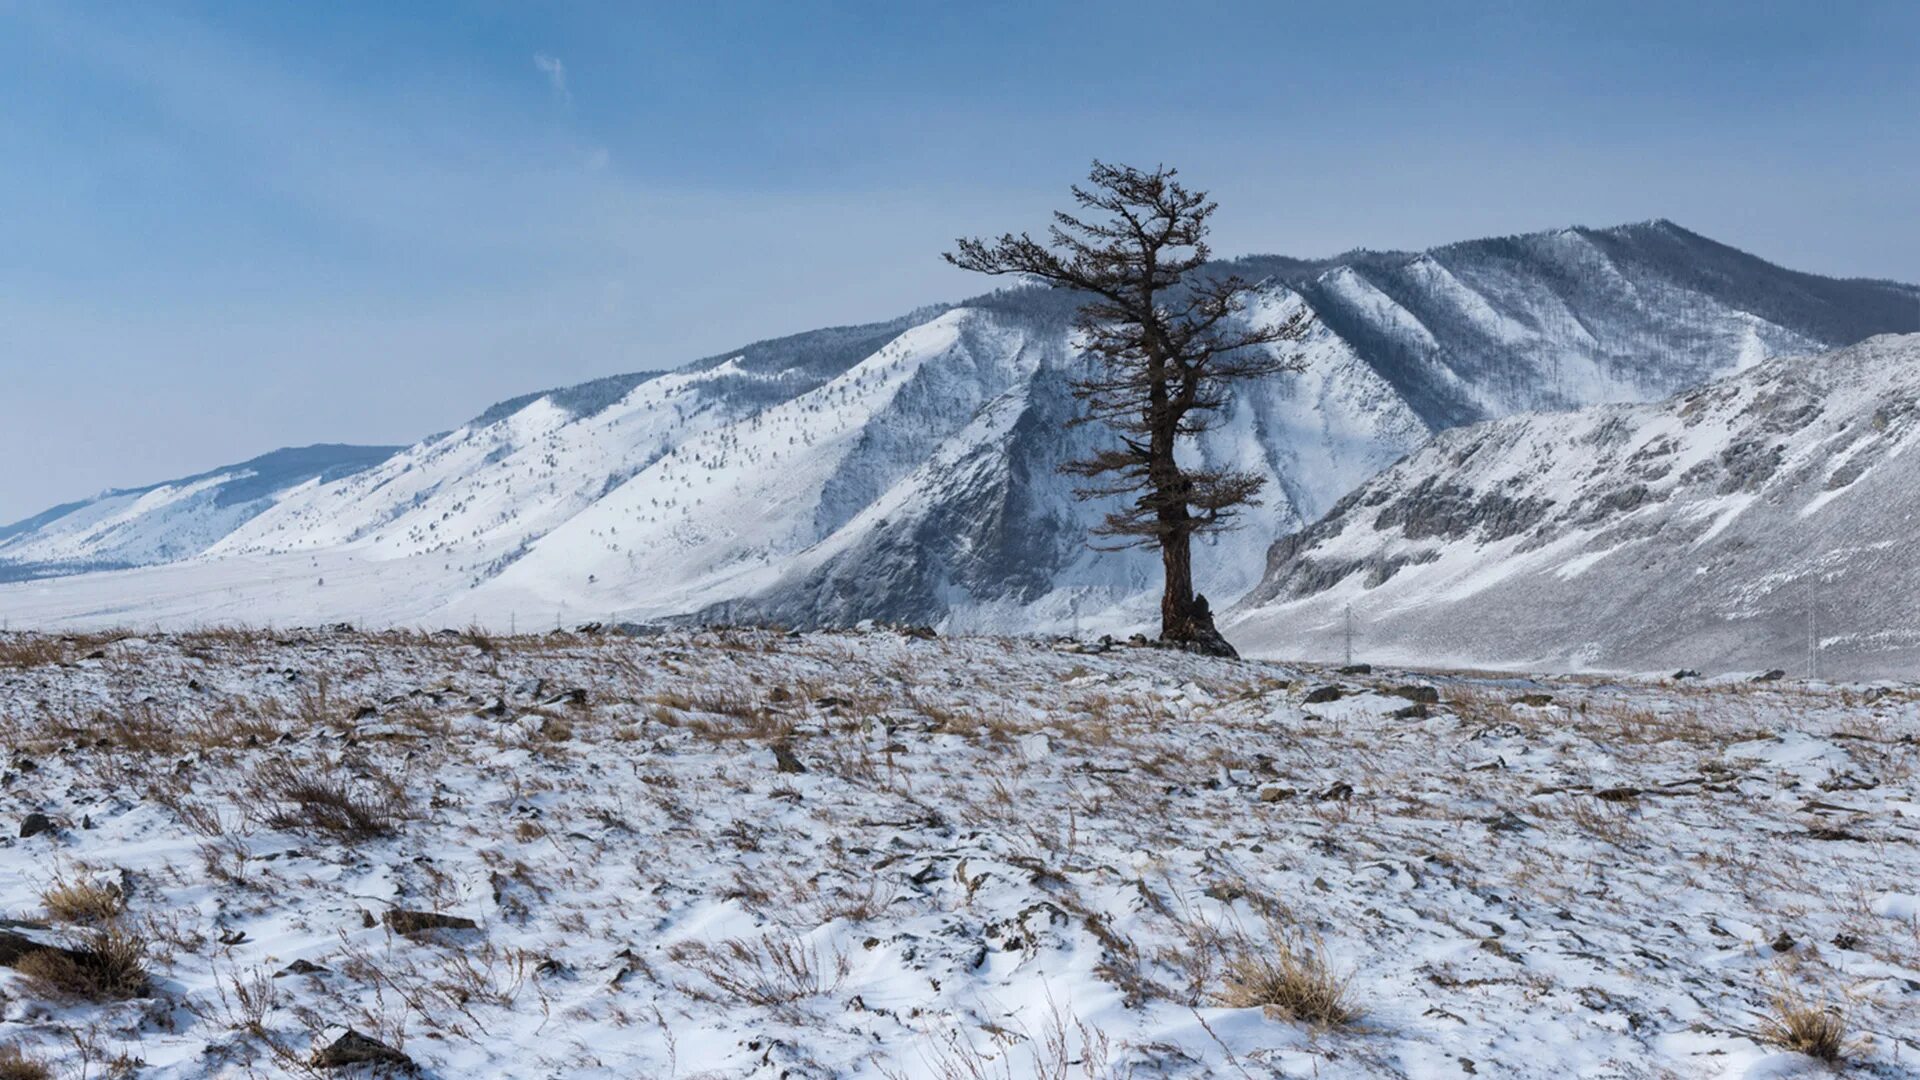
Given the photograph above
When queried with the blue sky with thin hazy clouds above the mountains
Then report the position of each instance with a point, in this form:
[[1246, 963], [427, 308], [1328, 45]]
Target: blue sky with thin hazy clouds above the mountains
[[228, 228]]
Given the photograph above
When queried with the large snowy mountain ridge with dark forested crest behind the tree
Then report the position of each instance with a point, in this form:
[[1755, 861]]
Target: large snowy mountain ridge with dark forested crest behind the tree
[[909, 470]]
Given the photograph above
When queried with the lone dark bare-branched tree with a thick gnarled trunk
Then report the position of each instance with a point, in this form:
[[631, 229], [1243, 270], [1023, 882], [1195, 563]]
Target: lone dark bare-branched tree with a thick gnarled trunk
[[1168, 341]]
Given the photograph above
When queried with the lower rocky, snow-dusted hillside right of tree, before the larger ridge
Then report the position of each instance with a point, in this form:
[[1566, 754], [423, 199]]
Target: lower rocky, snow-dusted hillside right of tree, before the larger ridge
[[1727, 528]]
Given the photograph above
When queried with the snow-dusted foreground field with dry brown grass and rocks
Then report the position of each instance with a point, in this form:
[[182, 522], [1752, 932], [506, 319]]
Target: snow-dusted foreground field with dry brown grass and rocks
[[886, 854]]
